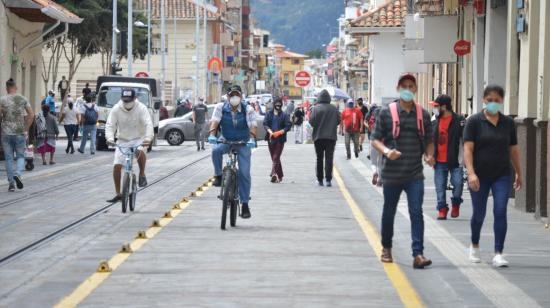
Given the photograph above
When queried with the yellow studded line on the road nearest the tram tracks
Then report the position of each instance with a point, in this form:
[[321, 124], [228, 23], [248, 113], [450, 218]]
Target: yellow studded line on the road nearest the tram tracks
[[106, 268]]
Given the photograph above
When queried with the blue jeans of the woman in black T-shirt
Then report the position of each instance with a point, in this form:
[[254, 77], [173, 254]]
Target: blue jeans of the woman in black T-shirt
[[501, 192]]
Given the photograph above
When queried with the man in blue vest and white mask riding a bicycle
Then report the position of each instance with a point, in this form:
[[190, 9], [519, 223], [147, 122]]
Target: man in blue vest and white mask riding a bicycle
[[237, 122]]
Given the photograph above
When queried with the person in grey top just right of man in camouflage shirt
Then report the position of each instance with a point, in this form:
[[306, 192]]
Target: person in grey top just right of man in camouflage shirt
[[47, 134]]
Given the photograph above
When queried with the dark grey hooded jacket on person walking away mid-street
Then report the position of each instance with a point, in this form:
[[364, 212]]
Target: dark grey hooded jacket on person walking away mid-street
[[324, 118]]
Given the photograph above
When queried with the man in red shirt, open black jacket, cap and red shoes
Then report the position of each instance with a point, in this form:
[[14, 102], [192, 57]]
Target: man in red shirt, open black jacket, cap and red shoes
[[448, 130]]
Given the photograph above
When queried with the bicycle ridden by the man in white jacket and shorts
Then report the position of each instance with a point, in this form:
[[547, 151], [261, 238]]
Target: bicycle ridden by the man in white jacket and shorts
[[129, 180]]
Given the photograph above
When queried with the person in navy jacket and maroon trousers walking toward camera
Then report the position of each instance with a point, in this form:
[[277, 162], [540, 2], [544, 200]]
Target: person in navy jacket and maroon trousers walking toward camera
[[277, 124]]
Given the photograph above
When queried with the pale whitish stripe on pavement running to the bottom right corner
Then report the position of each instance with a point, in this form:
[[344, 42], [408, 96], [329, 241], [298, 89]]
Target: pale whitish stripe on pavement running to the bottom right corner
[[500, 291]]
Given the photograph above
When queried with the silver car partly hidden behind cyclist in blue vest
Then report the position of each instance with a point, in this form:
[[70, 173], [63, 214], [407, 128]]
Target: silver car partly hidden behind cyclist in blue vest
[[177, 130]]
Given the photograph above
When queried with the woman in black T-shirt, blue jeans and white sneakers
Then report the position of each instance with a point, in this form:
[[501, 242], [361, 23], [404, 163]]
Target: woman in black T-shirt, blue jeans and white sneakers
[[490, 144]]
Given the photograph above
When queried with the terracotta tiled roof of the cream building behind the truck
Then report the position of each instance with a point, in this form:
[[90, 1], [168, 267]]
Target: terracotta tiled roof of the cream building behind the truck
[[182, 9]]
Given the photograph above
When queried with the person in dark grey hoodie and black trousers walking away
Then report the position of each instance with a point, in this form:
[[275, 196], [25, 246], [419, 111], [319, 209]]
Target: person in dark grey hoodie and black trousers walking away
[[324, 119]]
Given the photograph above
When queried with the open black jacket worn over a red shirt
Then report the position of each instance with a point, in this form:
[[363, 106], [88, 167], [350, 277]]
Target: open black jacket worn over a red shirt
[[456, 130]]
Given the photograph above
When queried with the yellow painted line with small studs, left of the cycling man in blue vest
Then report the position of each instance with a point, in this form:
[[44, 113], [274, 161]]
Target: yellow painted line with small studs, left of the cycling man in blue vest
[[97, 278]]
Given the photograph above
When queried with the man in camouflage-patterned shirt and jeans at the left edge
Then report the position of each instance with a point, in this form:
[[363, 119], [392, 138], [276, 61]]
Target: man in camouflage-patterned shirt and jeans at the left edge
[[16, 116]]
